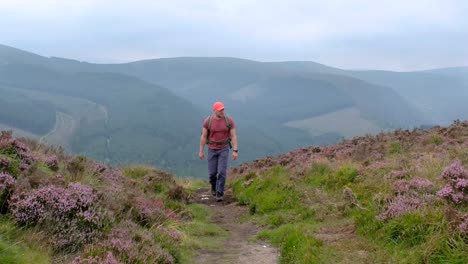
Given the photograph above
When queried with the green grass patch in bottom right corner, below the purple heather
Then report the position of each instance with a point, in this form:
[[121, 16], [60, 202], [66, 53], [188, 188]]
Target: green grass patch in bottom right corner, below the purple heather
[[419, 237]]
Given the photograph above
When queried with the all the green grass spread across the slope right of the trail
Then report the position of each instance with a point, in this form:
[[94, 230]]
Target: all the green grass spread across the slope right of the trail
[[293, 208]]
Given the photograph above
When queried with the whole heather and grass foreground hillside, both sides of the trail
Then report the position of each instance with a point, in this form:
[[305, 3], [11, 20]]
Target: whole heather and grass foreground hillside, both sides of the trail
[[397, 197]]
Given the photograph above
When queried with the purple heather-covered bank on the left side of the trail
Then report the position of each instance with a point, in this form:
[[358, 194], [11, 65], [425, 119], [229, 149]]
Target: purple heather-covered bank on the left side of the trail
[[70, 209]]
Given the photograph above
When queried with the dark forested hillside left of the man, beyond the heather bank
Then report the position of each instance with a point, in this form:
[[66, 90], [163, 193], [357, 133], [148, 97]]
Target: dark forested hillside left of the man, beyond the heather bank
[[111, 117]]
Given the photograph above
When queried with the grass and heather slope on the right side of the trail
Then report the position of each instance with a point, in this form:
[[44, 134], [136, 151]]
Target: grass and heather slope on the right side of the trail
[[398, 197]]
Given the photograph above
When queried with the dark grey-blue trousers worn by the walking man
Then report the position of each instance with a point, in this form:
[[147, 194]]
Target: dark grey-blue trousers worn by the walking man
[[217, 167]]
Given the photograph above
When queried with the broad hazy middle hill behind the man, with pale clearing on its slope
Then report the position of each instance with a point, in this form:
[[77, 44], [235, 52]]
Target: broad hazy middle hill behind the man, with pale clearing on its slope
[[287, 95]]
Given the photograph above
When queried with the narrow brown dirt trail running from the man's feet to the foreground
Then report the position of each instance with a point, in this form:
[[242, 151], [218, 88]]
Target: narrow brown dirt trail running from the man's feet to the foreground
[[237, 248]]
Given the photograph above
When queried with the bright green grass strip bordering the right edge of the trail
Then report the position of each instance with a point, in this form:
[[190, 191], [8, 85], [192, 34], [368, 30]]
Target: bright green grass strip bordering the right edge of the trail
[[275, 202]]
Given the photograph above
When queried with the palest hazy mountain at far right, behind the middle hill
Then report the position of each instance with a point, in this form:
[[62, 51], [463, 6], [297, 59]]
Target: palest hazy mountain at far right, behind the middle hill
[[439, 94]]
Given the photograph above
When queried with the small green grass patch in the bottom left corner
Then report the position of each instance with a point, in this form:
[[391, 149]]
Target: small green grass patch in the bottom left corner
[[16, 245]]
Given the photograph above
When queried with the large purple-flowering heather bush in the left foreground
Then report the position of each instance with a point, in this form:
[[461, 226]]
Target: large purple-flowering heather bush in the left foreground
[[67, 214]]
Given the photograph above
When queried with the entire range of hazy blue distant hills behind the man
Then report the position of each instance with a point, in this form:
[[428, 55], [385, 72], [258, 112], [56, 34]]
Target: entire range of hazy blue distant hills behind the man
[[151, 111]]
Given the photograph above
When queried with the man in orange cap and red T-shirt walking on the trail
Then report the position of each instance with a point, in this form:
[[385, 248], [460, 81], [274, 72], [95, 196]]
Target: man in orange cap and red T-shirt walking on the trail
[[219, 132]]
